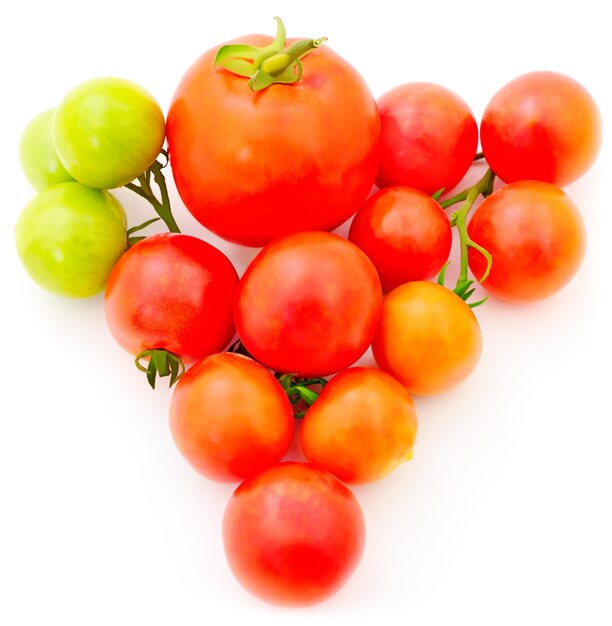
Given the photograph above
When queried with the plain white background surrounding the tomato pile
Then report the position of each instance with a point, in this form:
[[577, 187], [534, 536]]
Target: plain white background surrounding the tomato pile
[[503, 516]]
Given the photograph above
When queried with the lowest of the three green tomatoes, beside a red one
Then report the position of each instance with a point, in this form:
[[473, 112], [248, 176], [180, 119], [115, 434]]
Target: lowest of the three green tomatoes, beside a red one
[[70, 237]]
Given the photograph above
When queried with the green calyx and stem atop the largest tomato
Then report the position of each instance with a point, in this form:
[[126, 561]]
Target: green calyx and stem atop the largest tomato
[[273, 64]]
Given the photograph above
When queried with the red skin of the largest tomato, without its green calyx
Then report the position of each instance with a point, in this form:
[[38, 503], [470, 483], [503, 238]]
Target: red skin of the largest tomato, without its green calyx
[[255, 166]]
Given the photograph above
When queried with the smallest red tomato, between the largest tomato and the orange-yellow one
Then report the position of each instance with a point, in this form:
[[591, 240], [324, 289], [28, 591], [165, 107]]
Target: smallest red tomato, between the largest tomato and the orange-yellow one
[[405, 233]]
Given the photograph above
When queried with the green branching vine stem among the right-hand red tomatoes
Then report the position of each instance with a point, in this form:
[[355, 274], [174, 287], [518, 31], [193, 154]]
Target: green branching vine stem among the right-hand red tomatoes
[[458, 219]]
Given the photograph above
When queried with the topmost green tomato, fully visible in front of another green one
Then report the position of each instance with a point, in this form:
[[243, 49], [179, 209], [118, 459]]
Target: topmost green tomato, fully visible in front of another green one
[[107, 132]]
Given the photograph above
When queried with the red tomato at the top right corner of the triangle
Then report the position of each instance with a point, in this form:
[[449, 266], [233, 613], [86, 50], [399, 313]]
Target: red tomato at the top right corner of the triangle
[[541, 126]]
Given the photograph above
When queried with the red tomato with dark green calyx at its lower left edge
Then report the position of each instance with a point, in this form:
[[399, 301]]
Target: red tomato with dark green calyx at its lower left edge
[[172, 292]]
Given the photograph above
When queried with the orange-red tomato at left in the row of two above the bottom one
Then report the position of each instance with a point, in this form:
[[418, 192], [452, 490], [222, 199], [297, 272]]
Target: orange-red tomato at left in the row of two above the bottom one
[[230, 418]]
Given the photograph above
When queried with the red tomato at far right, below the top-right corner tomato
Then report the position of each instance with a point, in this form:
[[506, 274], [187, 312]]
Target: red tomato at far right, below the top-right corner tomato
[[536, 237]]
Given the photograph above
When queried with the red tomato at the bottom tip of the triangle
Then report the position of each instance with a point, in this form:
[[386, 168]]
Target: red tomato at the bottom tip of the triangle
[[293, 535]]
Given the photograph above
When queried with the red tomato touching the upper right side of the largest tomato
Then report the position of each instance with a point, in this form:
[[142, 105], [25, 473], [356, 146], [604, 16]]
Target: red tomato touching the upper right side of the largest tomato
[[428, 137]]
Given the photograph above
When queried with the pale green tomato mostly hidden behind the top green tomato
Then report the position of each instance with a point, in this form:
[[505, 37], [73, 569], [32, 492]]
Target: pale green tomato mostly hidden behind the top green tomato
[[39, 160]]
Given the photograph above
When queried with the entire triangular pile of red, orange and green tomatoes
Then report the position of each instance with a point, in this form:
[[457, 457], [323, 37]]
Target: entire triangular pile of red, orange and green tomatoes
[[274, 143]]
